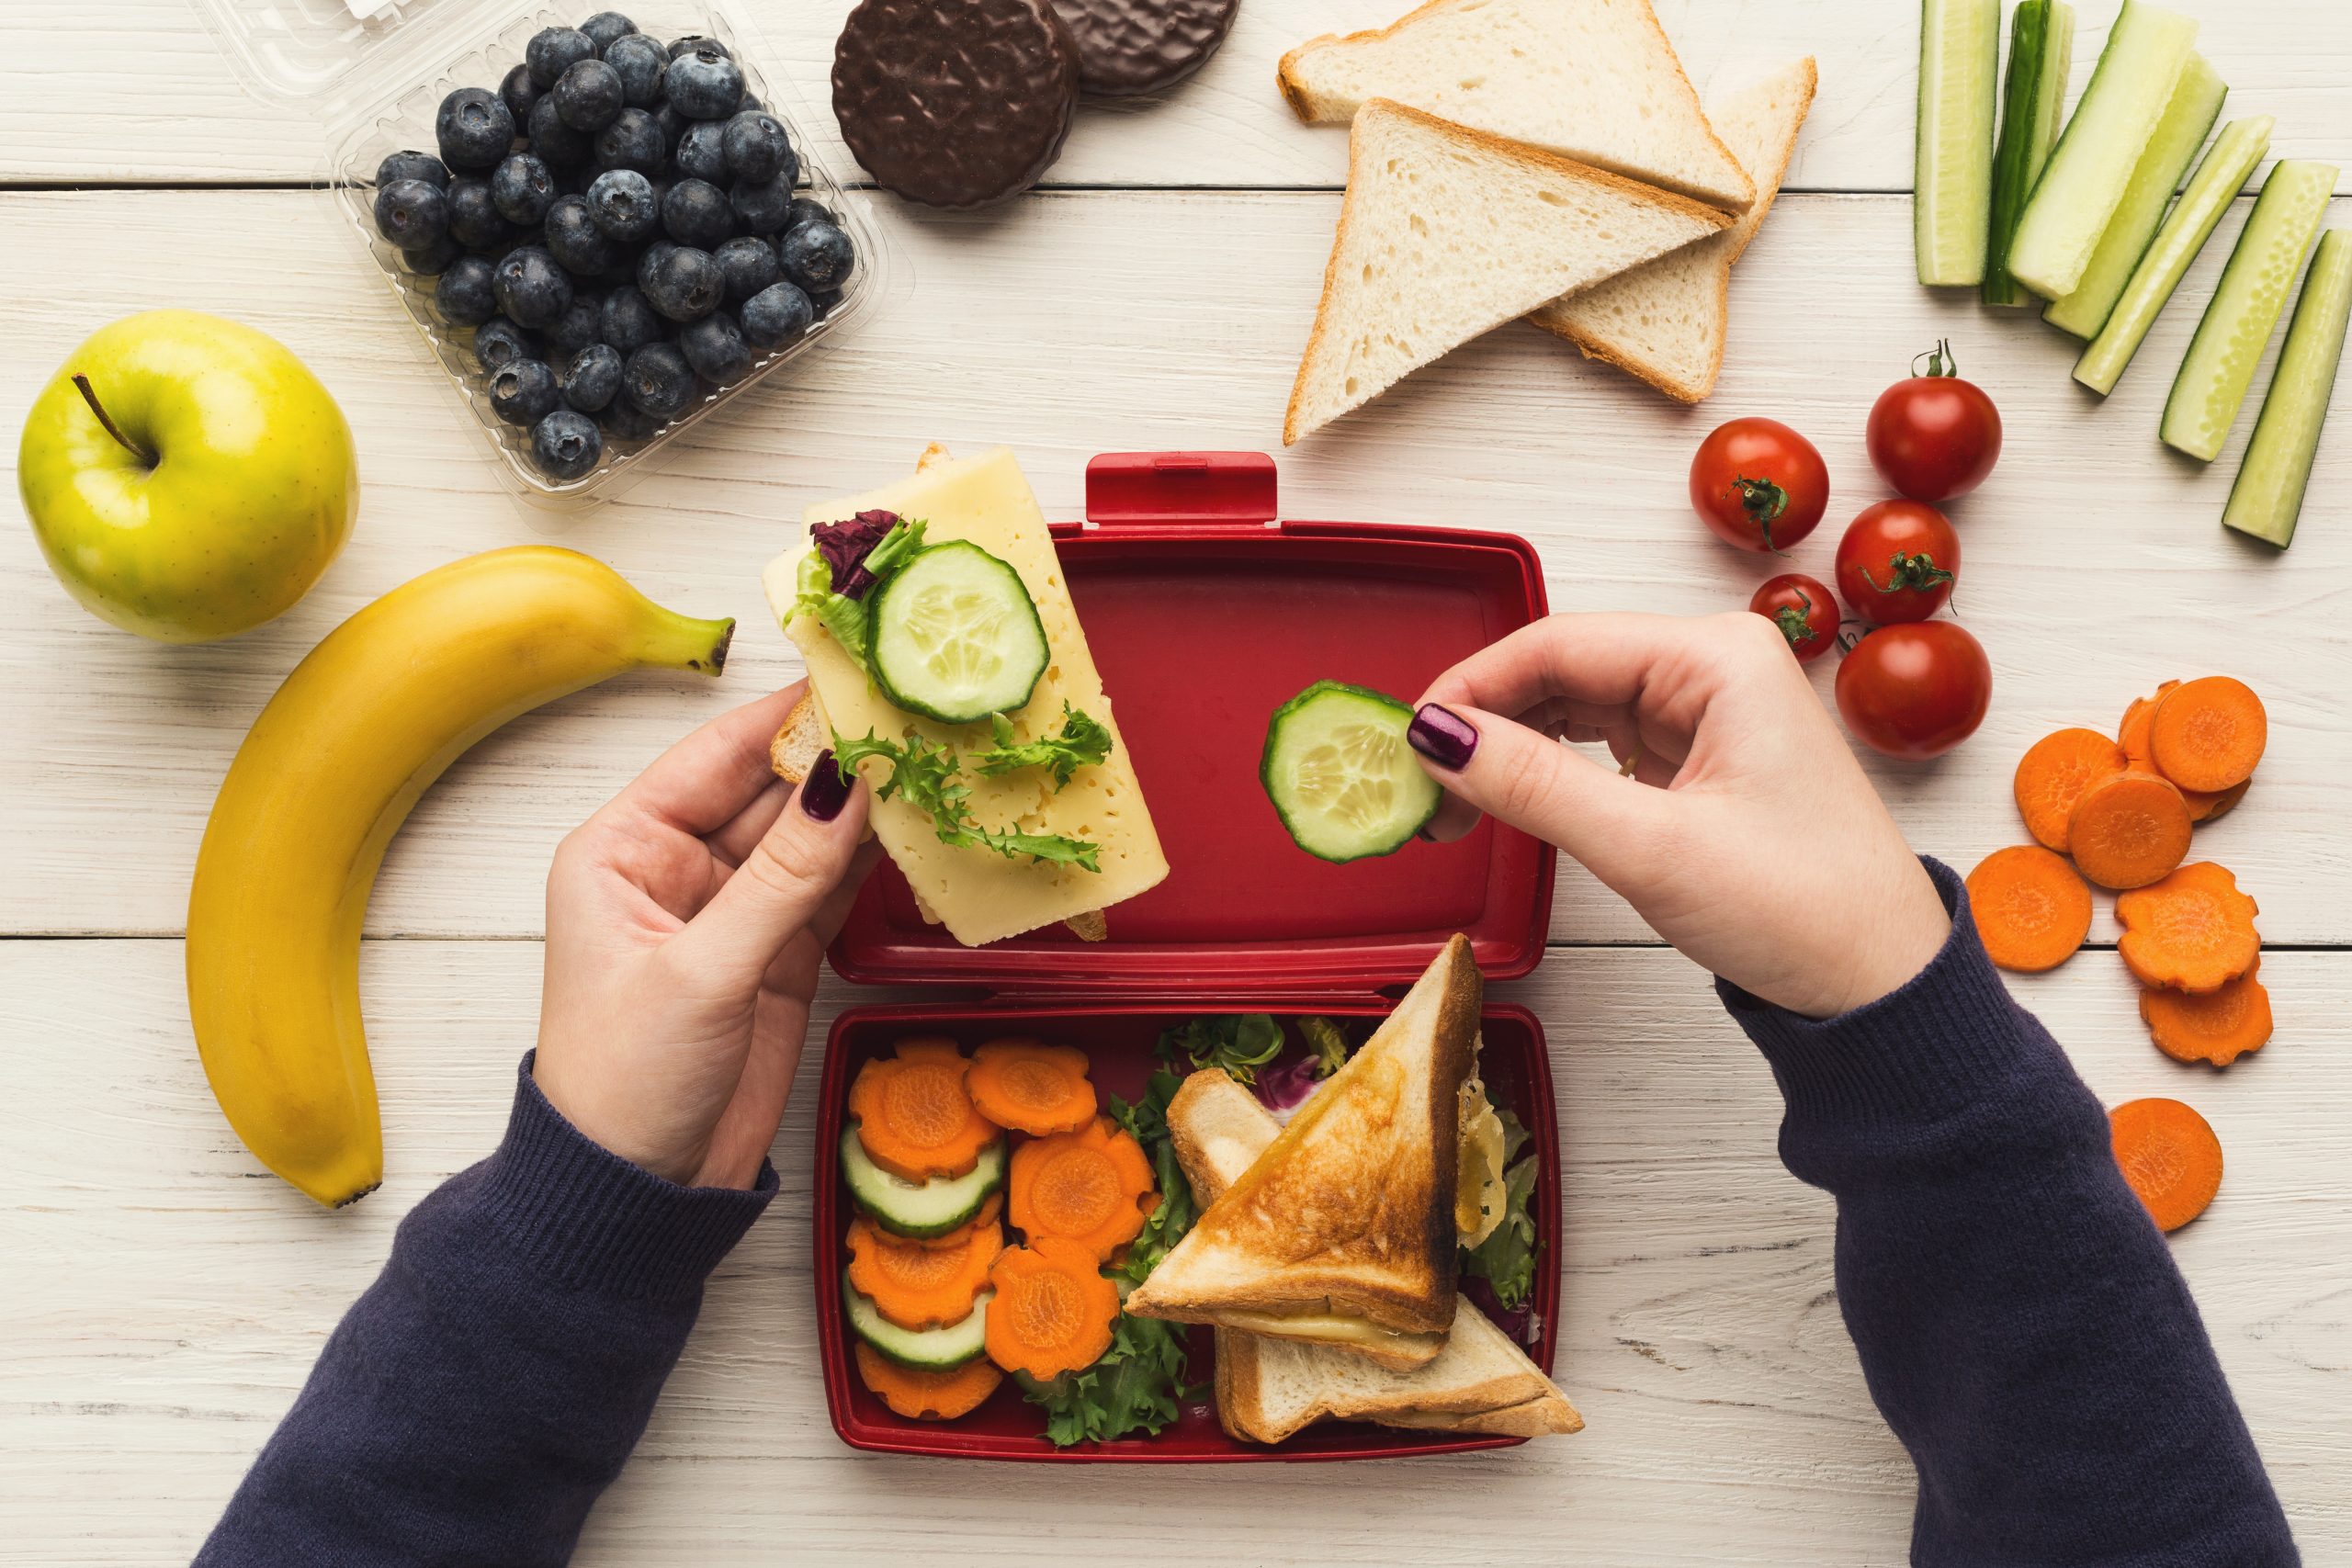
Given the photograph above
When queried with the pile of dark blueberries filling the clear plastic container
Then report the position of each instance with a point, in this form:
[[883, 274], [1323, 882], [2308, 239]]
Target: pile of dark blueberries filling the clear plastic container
[[617, 225]]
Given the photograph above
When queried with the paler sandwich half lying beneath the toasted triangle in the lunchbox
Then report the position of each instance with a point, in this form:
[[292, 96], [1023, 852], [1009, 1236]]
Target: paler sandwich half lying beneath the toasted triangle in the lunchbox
[[1271, 1388]]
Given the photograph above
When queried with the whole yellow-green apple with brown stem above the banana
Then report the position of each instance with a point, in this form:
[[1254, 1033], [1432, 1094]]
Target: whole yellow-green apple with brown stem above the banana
[[189, 478]]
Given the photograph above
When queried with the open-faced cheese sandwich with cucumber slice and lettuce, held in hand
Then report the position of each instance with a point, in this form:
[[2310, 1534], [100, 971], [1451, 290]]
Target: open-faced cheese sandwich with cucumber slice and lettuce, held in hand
[[947, 664]]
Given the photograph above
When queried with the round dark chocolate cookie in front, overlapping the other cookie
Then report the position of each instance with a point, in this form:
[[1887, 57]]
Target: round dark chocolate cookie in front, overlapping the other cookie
[[956, 102]]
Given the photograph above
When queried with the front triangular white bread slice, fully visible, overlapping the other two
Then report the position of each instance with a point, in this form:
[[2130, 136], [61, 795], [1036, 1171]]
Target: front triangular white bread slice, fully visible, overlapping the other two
[[1450, 234]]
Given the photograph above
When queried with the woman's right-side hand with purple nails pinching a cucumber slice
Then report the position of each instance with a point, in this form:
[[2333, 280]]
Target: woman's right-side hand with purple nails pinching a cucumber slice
[[1746, 833]]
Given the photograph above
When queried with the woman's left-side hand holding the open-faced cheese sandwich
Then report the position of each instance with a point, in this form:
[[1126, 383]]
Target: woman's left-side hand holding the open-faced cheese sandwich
[[686, 925]]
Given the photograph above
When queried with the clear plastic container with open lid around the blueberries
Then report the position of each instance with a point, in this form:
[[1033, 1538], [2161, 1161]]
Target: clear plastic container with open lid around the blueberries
[[375, 74]]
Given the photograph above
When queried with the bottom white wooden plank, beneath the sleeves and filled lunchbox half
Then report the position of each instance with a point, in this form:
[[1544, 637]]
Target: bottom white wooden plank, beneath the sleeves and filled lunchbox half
[[166, 1299]]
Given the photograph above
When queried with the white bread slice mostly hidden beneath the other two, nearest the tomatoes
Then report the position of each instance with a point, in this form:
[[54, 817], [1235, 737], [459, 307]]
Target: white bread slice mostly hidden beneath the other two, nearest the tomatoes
[[1666, 321]]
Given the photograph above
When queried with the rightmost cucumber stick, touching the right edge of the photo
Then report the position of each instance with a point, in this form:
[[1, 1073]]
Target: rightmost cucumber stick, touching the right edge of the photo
[[2278, 467]]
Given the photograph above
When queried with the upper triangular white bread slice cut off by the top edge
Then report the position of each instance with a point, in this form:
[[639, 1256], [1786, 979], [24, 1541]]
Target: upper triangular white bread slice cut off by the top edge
[[1586, 79]]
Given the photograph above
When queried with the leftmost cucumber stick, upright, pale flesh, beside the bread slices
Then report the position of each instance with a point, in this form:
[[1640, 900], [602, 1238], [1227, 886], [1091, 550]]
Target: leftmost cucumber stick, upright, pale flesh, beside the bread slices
[[1960, 58]]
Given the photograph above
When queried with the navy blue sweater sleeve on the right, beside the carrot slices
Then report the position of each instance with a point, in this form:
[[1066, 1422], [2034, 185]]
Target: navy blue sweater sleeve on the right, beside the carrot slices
[[2019, 1318]]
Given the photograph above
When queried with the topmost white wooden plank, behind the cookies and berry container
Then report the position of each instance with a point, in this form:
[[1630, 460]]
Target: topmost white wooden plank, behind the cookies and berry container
[[138, 91]]
